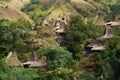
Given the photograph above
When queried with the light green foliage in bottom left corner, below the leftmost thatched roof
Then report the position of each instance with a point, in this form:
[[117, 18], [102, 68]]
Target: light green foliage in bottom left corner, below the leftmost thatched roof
[[19, 74]]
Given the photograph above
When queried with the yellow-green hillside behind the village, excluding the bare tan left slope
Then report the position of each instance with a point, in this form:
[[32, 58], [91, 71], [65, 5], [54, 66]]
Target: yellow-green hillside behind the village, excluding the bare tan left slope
[[65, 8]]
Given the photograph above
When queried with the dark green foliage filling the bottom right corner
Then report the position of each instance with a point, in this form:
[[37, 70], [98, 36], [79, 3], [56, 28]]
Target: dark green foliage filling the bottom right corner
[[110, 66]]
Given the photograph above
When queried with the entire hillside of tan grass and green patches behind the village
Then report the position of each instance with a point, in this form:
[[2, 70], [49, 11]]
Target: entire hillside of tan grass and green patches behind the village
[[55, 8]]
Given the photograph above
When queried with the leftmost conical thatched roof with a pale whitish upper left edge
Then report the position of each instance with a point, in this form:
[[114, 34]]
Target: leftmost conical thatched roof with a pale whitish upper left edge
[[12, 60]]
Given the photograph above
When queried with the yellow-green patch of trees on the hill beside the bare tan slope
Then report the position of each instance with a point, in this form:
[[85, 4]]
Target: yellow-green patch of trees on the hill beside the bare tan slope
[[35, 10]]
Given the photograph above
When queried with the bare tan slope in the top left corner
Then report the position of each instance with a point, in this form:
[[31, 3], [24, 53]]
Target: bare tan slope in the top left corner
[[12, 12]]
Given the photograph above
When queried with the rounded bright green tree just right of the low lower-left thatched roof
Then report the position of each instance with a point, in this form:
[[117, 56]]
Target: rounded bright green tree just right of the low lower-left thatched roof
[[58, 57]]
